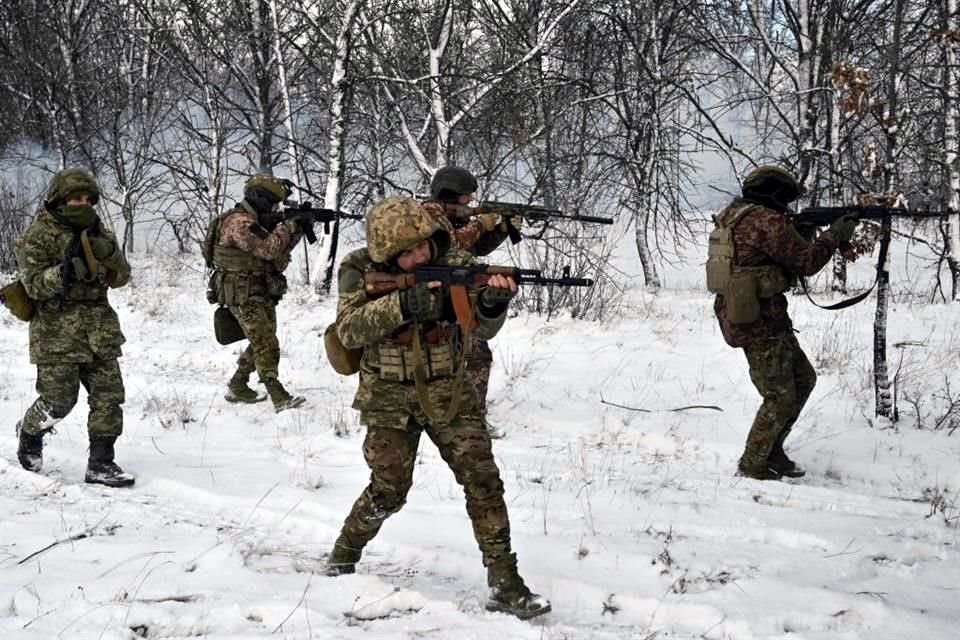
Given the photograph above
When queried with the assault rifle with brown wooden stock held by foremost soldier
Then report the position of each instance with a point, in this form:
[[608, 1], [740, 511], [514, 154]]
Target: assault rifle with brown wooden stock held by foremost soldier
[[471, 277]]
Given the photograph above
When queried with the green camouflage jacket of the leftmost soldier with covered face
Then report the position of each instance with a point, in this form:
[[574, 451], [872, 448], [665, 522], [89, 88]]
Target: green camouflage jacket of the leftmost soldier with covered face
[[79, 326]]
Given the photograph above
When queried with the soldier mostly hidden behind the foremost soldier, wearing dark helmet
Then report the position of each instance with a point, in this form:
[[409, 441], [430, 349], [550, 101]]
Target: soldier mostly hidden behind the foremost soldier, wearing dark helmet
[[480, 236]]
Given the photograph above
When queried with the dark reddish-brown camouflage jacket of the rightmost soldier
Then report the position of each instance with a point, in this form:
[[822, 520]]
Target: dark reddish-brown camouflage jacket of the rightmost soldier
[[765, 237]]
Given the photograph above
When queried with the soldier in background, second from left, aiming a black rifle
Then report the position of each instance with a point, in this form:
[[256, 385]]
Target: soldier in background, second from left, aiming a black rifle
[[252, 249]]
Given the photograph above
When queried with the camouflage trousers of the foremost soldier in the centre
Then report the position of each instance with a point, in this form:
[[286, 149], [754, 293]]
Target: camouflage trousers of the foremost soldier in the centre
[[390, 454]]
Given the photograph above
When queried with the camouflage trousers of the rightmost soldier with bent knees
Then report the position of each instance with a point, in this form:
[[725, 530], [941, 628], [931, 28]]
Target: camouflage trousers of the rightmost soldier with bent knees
[[784, 377]]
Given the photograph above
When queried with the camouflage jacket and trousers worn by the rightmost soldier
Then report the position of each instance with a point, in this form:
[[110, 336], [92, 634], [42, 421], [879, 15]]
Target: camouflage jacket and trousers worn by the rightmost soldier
[[764, 240]]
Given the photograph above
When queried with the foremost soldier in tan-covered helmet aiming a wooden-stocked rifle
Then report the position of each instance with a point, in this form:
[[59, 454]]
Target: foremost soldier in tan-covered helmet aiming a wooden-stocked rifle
[[413, 359]]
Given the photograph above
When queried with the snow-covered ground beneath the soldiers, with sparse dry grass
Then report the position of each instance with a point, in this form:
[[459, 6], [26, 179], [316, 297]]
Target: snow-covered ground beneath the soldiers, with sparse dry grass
[[630, 521]]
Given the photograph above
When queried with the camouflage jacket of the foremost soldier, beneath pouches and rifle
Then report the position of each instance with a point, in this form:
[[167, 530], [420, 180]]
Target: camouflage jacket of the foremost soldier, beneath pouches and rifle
[[363, 320]]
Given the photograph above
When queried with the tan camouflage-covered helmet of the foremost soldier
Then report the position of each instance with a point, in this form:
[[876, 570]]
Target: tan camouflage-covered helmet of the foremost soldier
[[398, 223]]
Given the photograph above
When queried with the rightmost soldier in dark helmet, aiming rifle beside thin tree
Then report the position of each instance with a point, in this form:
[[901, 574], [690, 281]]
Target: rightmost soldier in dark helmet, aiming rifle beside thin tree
[[768, 254]]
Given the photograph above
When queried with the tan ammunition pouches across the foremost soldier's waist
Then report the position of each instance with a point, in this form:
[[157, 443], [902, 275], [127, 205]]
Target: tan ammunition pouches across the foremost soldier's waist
[[394, 357]]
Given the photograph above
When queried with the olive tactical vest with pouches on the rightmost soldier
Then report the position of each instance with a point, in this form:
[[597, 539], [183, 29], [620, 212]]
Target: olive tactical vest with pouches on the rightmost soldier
[[742, 287]]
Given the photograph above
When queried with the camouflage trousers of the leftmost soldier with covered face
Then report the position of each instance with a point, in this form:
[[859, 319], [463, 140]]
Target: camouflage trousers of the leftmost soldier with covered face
[[58, 386]]
